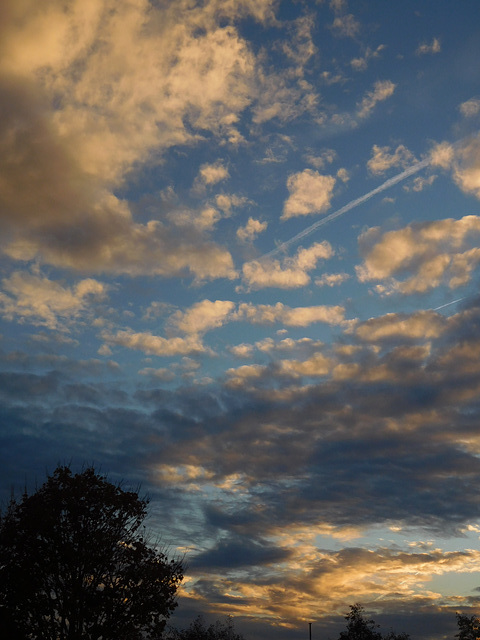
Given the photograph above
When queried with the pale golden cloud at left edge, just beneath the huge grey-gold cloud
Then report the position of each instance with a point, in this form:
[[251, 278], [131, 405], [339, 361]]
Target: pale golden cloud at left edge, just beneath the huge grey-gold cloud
[[33, 298]]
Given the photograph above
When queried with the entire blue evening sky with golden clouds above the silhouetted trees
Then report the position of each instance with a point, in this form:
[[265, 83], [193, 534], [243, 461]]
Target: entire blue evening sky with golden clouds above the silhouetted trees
[[240, 255]]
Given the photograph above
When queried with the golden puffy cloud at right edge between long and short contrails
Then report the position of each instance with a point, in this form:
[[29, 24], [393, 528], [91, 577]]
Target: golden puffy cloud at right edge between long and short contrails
[[428, 254]]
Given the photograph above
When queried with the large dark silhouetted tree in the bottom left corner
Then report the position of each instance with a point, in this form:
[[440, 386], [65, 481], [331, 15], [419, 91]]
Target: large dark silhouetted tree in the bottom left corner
[[75, 564]]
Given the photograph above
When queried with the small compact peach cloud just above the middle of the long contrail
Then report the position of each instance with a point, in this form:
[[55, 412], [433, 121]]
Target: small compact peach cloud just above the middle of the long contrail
[[310, 192]]
